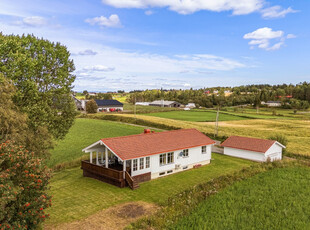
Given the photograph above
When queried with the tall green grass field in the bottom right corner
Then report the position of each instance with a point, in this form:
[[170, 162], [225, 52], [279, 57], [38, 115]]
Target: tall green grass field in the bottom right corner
[[277, 199]]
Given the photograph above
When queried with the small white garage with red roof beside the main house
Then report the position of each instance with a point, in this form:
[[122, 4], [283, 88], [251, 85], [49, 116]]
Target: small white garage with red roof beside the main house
[[252, 148]]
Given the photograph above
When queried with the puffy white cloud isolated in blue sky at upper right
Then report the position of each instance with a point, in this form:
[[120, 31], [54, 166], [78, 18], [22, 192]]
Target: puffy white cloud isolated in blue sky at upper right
[[267, 39]]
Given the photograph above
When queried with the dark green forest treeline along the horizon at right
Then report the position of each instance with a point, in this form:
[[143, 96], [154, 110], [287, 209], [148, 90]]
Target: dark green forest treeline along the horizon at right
[[292, 96]]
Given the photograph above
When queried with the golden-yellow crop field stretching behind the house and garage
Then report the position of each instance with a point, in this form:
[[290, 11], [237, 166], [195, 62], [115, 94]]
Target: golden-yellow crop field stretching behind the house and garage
[[296, 131]]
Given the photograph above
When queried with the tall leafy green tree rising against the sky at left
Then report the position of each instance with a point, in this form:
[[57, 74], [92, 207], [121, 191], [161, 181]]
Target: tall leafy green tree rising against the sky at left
[[42, 73]]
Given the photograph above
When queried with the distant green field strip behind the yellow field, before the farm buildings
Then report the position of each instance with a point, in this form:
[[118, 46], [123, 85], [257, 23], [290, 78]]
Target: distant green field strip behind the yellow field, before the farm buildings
[[196, 116]]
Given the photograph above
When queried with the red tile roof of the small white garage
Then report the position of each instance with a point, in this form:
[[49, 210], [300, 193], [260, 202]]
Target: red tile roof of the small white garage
[[248, 143]]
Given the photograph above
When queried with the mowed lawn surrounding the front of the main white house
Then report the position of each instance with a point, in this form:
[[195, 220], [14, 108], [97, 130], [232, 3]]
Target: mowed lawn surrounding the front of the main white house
[[76, 197]]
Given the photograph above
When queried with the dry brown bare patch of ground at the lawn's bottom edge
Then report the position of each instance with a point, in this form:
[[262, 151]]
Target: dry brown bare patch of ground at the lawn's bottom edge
[[113, 218]]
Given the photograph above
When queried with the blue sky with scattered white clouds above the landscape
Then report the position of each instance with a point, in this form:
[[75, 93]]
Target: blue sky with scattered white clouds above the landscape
[[150, 44]]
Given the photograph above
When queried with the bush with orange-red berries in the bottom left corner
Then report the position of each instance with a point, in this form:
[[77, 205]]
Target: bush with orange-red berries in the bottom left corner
[[23, 185]]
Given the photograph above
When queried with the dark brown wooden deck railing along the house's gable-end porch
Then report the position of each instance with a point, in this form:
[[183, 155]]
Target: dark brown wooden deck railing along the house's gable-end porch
[[102, 171]]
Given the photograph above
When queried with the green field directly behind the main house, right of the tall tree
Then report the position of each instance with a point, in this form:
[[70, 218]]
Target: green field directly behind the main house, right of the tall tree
[[83, 133]]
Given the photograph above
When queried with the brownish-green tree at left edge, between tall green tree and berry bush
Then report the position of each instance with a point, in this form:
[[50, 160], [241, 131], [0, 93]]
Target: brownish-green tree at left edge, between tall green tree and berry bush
[[14, 124]]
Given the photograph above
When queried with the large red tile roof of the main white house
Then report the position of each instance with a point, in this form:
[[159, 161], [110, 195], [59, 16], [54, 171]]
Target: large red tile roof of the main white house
[[146, 144]]
